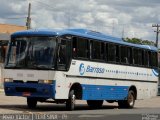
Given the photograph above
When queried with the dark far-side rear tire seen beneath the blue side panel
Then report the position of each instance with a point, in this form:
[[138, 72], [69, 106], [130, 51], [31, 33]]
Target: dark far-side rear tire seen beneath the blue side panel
[[95, 103]]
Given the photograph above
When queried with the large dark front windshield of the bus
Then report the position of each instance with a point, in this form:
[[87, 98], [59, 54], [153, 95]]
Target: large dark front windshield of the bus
[[31, 53]]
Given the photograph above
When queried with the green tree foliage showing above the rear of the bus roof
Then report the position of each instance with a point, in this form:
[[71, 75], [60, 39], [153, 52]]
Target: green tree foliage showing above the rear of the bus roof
[[139, 41]]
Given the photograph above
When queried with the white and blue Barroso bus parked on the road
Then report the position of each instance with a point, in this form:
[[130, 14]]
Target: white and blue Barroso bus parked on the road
[[65, 65]]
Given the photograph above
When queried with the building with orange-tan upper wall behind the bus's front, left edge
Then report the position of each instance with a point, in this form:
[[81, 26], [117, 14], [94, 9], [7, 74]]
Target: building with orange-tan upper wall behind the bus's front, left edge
[[5, 31]]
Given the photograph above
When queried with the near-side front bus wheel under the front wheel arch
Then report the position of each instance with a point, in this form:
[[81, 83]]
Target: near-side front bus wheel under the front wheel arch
[[70, 103]]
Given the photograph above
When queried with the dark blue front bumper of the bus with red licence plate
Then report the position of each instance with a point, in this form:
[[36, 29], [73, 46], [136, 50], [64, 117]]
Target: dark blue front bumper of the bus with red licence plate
[[39, 90]]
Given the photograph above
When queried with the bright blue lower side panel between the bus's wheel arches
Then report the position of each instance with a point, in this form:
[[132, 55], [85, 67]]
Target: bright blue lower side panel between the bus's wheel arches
[[102, 92]]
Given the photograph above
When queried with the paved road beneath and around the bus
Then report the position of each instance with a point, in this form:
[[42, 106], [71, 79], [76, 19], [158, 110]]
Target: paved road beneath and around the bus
[[144, 109]]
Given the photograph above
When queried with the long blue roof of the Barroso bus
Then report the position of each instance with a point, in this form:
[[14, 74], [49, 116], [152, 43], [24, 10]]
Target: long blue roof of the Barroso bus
[[80, 32]]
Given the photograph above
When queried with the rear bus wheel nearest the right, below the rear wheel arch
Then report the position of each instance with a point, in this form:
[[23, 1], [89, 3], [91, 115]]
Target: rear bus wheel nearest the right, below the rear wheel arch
[[129, 103]]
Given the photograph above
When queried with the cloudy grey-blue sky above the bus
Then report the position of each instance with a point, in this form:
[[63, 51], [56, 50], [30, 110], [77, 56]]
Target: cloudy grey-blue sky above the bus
[[120, 18]]
